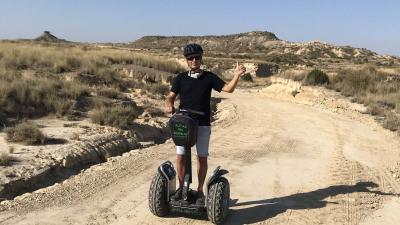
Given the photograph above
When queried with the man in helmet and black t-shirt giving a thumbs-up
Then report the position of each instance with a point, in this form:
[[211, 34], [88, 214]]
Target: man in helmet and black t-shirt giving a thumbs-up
[[194, 88]]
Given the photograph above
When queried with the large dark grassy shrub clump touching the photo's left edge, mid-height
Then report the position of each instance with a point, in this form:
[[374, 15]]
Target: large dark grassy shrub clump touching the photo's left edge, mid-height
[[33, 97]]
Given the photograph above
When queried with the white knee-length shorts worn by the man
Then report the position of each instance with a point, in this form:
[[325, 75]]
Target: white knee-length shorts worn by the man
[[203, 141]]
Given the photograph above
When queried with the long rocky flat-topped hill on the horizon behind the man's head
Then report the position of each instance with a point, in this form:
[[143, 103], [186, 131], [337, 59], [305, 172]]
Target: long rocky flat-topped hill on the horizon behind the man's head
[[265, 46]]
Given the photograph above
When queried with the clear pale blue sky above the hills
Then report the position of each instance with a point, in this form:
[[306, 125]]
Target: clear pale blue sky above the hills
[[371, 24]]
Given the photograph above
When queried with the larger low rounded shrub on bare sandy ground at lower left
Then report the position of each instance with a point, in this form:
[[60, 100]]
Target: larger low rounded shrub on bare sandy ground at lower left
[[25, 132]]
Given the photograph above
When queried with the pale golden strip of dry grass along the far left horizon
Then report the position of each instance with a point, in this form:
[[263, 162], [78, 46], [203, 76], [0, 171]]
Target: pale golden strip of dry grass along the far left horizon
[[59, 58]]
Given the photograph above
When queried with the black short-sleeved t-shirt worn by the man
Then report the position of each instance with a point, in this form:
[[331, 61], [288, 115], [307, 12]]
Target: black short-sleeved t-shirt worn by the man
[[195, 93]]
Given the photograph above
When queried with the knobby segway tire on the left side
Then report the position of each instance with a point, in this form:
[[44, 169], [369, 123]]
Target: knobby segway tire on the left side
[[158, 195]]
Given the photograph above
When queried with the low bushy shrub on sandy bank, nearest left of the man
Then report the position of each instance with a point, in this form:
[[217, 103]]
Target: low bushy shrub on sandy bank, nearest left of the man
[[120, 116]]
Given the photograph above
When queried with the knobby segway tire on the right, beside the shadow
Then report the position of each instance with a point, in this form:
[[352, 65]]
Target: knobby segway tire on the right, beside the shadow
[[218, 200]]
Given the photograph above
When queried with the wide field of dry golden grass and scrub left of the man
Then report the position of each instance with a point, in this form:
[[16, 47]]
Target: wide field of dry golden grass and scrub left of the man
[[47, 90]]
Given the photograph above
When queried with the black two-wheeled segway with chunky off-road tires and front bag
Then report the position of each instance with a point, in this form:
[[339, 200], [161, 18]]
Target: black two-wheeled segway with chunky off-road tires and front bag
[[184, 133]]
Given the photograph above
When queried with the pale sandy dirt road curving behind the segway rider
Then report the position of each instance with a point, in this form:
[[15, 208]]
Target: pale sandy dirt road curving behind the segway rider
[[289, 164]]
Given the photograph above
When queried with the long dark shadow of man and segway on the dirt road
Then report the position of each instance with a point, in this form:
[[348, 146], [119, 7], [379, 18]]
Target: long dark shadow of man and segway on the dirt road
[[269, 208]]
